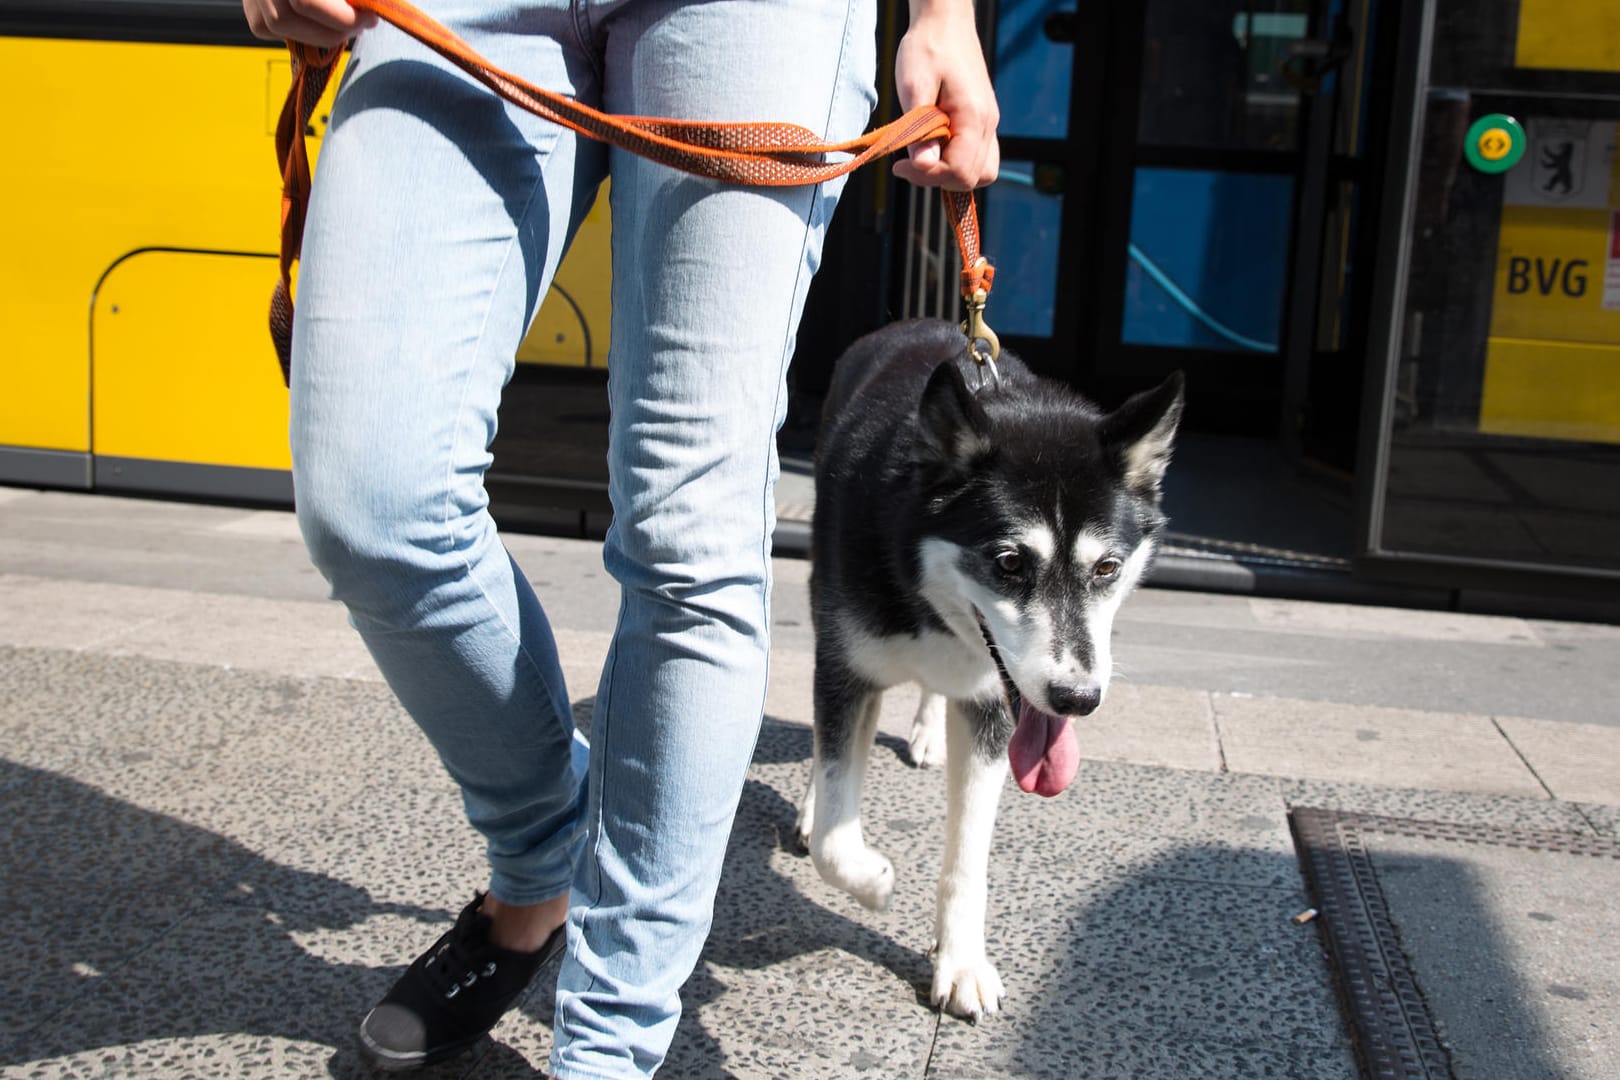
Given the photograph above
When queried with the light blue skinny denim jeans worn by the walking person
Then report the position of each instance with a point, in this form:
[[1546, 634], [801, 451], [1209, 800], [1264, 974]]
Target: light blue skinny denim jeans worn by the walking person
[[438, 221]]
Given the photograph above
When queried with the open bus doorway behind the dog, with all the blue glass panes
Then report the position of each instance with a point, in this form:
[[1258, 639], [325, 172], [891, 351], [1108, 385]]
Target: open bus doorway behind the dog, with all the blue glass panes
[[1179, 189]]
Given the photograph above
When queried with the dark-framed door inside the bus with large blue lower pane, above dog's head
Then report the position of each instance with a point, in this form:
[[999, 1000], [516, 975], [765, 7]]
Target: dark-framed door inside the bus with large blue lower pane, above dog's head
[[1213, 221]]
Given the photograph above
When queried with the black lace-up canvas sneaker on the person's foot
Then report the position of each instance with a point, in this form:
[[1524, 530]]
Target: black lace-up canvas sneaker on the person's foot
[[451, 997]]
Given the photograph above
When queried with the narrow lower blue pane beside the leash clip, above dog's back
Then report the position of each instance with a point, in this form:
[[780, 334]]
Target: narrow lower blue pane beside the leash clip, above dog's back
[[1021, 239]]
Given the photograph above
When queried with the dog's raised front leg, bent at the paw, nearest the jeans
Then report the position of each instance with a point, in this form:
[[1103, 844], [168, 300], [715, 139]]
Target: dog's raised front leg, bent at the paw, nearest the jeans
[[846, 721]]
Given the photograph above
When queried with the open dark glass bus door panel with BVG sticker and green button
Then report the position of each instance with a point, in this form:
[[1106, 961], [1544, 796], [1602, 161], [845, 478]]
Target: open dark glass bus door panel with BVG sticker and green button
[[1496, 435]]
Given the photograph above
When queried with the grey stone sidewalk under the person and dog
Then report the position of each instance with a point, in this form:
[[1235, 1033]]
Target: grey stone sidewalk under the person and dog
[[224, 840]]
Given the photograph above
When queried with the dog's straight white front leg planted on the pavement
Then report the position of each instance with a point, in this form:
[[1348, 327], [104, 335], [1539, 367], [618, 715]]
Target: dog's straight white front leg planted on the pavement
[[965, 982]]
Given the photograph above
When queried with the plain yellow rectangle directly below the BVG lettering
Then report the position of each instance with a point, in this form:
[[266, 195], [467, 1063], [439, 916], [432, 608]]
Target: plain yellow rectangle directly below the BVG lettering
[[1551, 391]]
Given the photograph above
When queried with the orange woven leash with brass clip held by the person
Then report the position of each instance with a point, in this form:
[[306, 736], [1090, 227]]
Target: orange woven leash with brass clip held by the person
[[770, 155]]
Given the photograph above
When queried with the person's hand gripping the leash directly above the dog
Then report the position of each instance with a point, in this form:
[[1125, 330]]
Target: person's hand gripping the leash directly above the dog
[[940, 62]]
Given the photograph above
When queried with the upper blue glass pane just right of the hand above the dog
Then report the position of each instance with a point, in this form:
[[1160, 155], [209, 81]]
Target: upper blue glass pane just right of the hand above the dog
[[1033, 72]]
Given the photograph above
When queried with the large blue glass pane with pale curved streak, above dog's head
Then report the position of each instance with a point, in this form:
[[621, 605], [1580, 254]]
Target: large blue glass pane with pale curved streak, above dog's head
[[1208, 260]]
